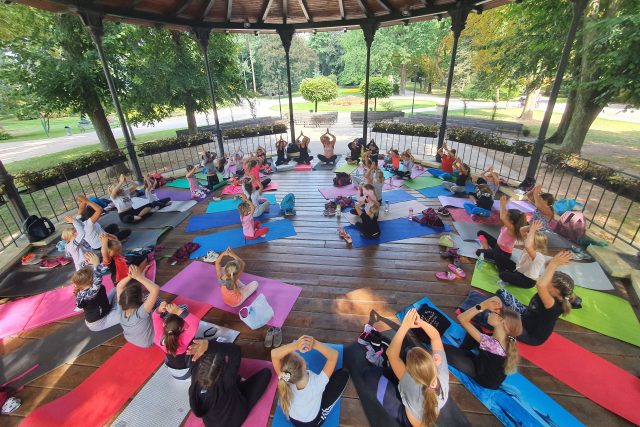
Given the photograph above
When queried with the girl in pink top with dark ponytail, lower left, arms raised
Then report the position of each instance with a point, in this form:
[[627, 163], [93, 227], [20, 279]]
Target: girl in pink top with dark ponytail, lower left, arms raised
[[174, 329]]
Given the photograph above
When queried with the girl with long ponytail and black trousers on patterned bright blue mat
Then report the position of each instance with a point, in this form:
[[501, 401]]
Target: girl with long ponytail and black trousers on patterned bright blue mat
[[498, 354]]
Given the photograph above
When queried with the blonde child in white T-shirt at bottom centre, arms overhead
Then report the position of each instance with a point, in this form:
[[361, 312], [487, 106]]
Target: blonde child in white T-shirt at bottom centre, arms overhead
[[306, 398]]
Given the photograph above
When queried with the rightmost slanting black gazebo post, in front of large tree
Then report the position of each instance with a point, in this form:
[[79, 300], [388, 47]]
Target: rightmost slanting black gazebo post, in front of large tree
[[578, 11]]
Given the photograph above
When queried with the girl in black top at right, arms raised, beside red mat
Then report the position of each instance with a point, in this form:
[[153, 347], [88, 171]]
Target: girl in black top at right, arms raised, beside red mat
[[554, 298]]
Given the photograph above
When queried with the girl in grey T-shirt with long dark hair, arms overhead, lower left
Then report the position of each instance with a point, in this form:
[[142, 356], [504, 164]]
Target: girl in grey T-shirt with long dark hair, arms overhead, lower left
[[135, 314]]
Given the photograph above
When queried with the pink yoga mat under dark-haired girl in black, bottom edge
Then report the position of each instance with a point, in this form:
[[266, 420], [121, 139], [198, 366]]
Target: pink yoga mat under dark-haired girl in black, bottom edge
[[259, 415]]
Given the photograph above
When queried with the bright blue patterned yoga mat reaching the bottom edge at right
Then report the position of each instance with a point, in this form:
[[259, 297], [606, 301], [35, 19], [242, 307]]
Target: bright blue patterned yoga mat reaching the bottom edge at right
[[518, 402]]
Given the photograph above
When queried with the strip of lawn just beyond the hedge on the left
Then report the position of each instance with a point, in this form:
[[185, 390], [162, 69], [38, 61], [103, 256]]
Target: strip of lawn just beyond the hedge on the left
[[37, 163]]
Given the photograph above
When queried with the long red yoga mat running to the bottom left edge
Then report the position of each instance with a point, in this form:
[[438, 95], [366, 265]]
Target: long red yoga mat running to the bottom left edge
[[107, 390]]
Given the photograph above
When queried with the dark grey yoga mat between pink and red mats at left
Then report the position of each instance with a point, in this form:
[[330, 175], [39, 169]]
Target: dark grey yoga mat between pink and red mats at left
[[52, 351]]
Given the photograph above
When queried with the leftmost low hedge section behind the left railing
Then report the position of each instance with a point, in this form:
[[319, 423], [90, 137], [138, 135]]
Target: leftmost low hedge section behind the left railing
[[64, 171]]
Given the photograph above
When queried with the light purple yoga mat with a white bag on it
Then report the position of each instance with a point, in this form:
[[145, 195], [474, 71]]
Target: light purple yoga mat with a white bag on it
[[199, 281]]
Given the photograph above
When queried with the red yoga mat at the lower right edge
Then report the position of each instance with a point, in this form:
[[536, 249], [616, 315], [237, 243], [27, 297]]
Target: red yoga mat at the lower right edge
[[600, 381]]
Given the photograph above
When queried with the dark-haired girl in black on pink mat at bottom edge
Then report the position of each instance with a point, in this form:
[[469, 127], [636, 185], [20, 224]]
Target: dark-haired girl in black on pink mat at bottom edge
[[217, 395]]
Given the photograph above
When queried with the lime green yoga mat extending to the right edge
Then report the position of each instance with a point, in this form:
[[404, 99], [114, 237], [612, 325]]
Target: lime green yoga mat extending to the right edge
[[601, 312]]
